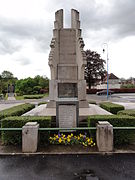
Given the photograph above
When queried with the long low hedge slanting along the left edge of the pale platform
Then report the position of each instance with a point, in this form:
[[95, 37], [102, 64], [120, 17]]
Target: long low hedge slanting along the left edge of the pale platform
[[16, 110]]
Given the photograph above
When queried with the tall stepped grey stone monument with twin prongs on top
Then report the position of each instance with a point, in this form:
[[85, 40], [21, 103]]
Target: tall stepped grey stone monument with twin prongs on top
[[67, 60]]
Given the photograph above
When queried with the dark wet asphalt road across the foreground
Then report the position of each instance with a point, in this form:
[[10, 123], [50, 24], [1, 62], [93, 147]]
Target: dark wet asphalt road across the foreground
[[68, 167]]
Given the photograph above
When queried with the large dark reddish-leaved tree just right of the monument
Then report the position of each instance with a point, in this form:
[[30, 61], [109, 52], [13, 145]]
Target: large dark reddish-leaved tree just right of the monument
[[94, 69]]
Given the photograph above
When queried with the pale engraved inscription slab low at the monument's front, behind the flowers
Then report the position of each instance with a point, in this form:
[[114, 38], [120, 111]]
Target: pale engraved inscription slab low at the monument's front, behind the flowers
[[67, 116]]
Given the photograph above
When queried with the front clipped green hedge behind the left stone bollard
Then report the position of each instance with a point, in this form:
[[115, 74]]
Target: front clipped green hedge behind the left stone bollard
[[15, 137]]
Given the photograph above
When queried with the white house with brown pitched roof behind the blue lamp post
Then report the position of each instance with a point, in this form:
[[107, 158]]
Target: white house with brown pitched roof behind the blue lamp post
[[113, 82]]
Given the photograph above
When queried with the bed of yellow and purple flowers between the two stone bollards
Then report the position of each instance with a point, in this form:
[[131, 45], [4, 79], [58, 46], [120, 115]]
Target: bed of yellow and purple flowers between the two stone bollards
[[72, 139]]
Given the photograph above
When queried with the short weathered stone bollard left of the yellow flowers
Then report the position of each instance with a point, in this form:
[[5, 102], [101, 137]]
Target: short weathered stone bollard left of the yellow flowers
[[30, 137]]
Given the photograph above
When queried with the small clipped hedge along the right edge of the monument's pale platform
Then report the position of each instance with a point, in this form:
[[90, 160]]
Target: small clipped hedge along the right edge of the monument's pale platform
[[111, 107]]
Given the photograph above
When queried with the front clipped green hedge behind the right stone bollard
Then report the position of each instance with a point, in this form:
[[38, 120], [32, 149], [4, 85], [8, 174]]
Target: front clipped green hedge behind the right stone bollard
[[120, 136]]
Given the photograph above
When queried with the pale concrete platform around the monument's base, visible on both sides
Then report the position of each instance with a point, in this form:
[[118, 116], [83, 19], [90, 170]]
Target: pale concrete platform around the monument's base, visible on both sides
[[43, 111]]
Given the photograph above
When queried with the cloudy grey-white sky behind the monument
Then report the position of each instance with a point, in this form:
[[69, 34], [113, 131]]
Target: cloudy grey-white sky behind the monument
[[26, 31]]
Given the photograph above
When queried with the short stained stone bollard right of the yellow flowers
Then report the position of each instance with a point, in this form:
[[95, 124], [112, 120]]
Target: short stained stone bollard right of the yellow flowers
[[104, 136]]
